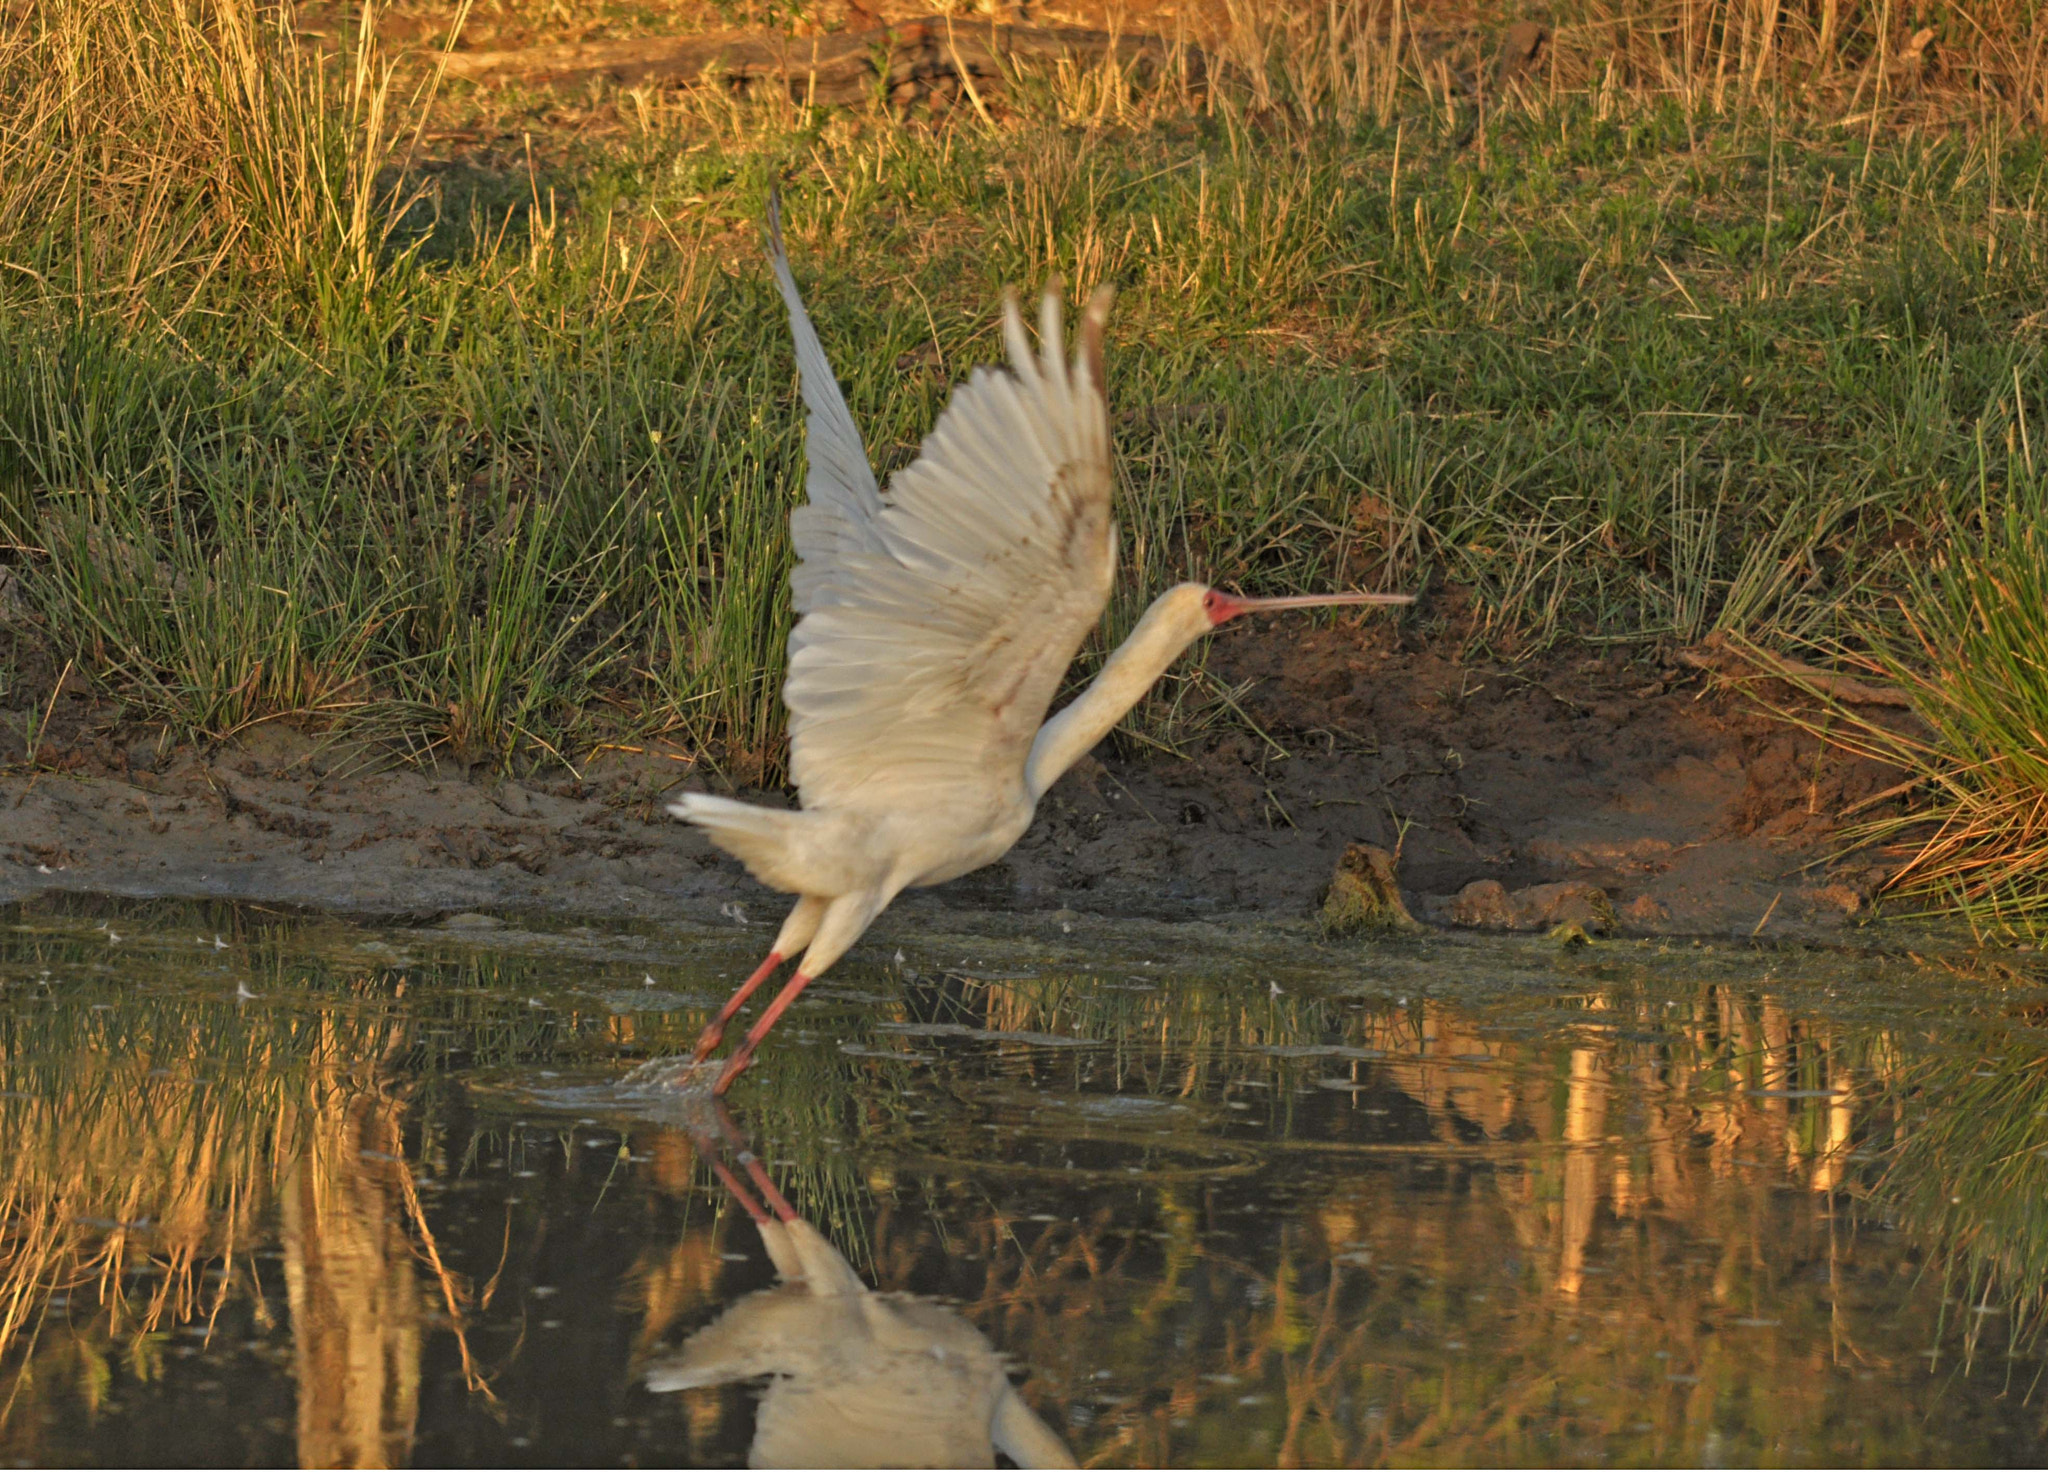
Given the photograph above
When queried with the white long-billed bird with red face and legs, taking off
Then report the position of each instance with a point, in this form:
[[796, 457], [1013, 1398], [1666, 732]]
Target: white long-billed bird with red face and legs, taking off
[[935, 630]]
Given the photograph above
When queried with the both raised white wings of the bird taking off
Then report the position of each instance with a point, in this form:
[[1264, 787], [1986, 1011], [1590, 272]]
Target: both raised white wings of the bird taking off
[[935, 626]]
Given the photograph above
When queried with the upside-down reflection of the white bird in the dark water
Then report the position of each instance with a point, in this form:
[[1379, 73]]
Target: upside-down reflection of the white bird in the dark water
[[857, 1378]]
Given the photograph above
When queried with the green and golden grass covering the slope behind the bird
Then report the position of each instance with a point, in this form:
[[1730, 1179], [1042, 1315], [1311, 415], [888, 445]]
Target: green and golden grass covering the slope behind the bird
[[495, 456]]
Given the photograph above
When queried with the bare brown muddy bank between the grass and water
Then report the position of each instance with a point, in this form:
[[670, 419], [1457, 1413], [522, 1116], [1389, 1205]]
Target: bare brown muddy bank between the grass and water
[[1674, 796]]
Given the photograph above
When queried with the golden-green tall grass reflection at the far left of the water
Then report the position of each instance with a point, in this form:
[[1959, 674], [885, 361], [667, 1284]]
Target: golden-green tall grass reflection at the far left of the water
[[151, 1124]]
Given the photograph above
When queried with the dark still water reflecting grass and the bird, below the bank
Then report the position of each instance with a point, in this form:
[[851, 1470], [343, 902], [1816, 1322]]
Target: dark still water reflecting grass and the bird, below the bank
[[292, 1191]]
